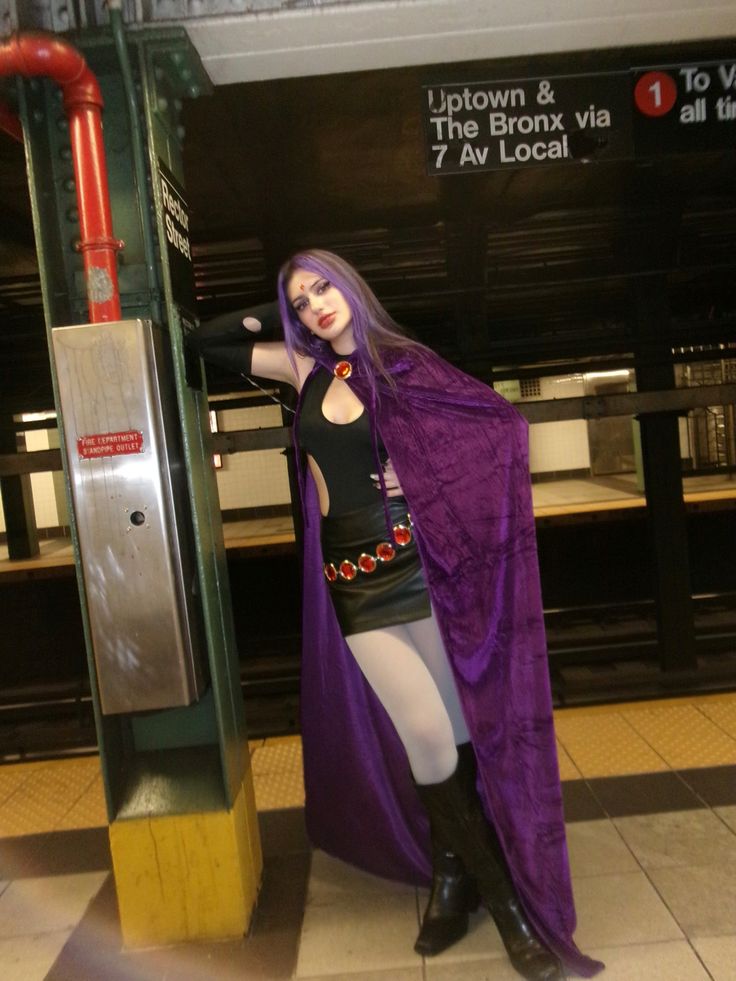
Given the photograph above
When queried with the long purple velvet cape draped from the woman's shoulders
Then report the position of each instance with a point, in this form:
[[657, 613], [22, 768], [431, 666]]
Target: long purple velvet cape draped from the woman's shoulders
[[460, 452]]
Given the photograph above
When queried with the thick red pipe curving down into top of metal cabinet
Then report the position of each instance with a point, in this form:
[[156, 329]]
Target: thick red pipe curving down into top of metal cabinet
[[46, 55]]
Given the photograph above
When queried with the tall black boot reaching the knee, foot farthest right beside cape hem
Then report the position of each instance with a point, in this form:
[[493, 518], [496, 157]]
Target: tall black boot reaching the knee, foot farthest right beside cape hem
[[456, 812]]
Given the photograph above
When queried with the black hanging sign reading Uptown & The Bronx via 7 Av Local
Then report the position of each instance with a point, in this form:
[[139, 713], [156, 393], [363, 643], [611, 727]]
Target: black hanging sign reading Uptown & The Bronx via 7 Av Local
[[514, 123]]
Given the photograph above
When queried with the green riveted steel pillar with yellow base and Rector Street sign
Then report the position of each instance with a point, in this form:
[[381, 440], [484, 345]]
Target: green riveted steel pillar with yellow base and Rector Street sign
[[183, 825]]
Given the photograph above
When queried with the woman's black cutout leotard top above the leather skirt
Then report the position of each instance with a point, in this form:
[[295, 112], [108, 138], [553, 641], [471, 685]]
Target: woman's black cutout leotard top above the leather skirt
[[343, 451]]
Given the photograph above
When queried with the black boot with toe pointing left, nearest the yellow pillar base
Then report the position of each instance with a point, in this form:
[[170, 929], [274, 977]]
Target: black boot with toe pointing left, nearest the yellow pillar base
[[454, 894]]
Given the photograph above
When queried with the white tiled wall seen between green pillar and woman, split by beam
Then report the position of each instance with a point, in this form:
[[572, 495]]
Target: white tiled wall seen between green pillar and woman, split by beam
[[255, 478]]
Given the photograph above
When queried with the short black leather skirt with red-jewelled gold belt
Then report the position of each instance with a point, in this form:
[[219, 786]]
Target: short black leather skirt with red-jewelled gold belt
[[374, 582]]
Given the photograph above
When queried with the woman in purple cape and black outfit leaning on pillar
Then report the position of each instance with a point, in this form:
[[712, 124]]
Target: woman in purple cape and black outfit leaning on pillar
[[421, 580]]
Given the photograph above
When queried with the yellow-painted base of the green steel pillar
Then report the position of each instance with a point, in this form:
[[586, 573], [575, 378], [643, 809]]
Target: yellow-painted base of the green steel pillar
[[187, 877]]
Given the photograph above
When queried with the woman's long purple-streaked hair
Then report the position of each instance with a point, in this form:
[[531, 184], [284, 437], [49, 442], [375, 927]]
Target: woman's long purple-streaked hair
[[374, 331]]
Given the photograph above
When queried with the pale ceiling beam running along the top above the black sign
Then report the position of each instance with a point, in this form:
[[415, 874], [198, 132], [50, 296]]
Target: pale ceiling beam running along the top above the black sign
[[279, 40]]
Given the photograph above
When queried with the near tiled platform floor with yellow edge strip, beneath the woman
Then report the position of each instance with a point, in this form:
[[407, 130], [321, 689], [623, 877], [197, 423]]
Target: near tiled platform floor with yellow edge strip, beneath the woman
[[650, 798]]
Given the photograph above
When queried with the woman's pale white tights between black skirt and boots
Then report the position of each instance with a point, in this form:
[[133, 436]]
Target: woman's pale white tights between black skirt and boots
[[407, 668]]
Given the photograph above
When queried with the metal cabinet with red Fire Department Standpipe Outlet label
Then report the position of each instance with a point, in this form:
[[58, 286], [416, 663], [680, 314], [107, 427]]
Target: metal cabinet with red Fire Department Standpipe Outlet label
[[130, 498]]
